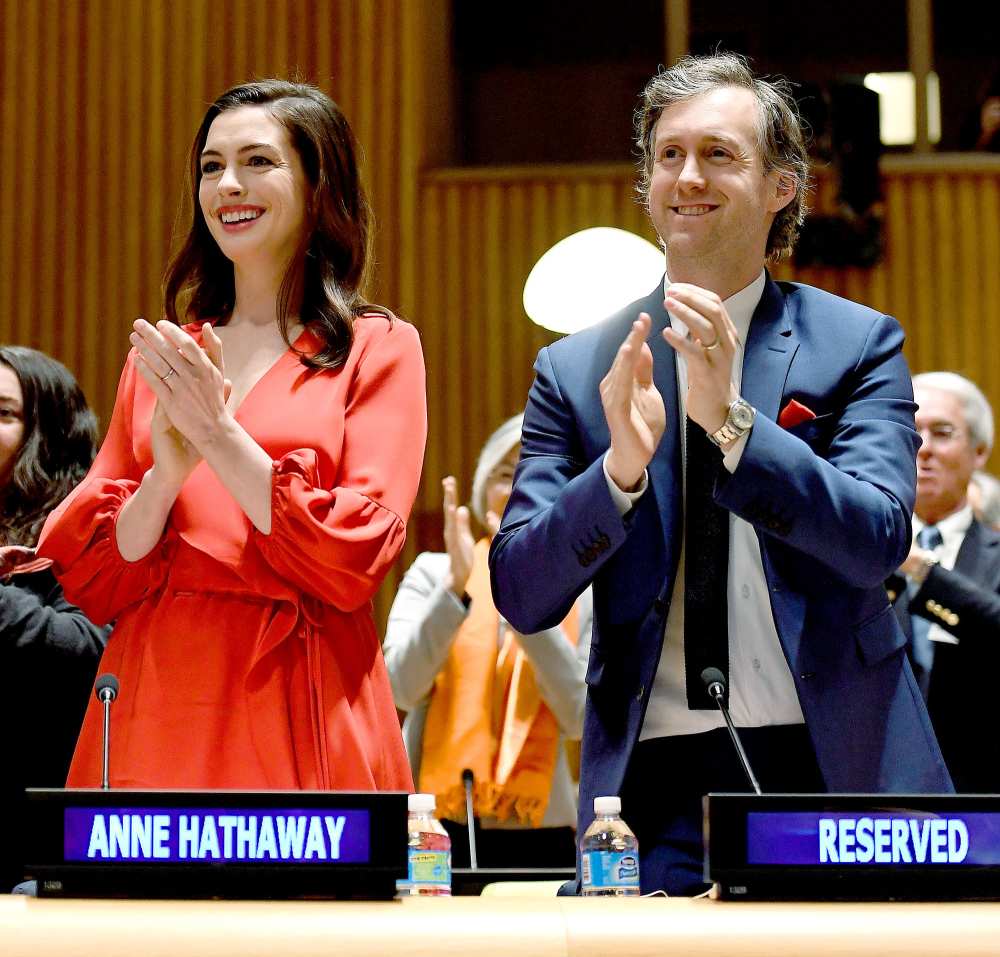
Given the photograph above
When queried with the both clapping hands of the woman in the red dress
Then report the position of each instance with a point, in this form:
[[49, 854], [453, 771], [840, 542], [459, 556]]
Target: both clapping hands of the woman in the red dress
[[191, 390]]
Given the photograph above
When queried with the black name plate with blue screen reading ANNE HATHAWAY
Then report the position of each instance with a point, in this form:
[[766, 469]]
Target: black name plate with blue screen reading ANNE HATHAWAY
[[216, 843]]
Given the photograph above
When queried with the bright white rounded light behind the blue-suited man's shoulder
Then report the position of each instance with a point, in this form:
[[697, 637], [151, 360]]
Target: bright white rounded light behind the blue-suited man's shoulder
[[586, 277]]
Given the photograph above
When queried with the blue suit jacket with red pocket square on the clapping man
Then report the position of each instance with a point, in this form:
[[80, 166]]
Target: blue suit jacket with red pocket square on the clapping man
[[830, 500]]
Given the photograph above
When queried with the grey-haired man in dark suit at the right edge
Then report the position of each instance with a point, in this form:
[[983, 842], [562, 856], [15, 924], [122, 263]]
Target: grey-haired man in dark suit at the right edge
[[947, 591]]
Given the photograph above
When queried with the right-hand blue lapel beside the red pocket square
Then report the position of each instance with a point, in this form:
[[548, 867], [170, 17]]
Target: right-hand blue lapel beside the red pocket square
[[771, 345]]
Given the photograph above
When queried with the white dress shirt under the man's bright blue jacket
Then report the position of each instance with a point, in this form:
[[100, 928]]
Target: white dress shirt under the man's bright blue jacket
[[761, 689]]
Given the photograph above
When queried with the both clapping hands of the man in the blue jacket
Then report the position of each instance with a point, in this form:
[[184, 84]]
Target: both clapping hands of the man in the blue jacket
[[633, 406]]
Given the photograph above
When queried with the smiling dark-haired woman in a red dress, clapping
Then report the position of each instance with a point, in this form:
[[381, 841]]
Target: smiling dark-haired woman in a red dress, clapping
[[256, 479]]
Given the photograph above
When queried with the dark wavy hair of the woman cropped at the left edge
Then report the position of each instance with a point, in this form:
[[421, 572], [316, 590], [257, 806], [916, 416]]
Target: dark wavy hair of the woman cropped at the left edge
[[59, 445]]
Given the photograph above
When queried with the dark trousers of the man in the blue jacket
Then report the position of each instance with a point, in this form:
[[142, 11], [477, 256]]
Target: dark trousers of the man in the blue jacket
[[667, 777]]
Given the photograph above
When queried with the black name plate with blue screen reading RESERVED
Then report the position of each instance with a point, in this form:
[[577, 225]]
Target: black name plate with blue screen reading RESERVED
[[856, 847]]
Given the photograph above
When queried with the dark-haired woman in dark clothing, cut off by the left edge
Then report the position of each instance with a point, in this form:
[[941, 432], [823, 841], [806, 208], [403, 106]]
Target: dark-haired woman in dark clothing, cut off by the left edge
[[48, 648]]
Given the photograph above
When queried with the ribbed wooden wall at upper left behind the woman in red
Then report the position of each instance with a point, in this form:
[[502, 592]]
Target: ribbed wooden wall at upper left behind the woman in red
[[99, 103]]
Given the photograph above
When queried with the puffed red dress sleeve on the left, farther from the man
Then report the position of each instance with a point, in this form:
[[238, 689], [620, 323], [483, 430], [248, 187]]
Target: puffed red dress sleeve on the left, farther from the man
[[79, 535]]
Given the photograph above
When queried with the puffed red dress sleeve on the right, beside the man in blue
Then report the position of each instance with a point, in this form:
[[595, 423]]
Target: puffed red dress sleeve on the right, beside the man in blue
[[338, 543]]
